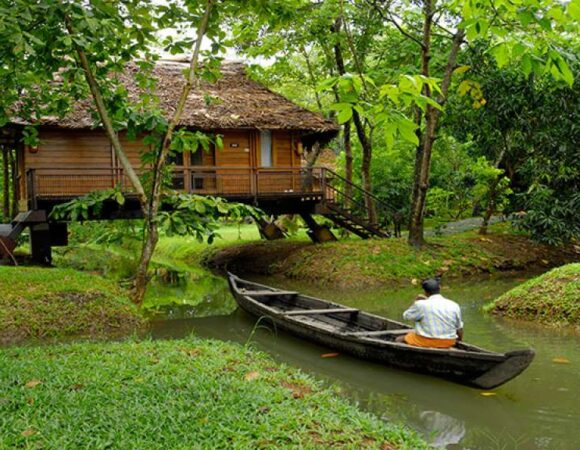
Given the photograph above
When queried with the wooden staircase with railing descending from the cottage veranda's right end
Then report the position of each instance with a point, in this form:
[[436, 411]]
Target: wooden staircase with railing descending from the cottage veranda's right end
[[346, 207]]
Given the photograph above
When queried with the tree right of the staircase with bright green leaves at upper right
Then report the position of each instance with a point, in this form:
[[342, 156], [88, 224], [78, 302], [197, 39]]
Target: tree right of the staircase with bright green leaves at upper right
[[526, 31]]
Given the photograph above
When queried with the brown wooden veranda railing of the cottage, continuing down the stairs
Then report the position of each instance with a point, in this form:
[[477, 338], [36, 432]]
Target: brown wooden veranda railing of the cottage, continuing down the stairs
[[341, 197]]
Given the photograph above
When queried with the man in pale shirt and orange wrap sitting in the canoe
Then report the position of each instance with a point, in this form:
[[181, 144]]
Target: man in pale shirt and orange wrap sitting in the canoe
[[437, 319]]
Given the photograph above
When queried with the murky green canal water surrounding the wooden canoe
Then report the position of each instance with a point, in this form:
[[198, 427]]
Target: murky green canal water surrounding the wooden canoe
[[537, 410]]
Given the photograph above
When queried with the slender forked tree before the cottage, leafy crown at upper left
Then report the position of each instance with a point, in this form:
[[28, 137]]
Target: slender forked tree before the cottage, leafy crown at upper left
[[95, 41]]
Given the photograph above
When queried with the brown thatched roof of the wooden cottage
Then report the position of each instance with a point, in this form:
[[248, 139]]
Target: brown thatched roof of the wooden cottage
[[239, 103]]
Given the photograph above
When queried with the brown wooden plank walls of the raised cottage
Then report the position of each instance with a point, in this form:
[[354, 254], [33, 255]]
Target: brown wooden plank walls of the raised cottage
[[76, 162]]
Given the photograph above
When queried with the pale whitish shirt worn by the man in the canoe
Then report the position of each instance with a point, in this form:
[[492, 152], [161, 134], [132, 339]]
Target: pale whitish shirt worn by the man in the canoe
[[435, 317]]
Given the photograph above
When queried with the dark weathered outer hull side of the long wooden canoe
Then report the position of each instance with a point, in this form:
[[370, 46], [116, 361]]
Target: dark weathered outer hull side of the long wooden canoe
[[475, 367]]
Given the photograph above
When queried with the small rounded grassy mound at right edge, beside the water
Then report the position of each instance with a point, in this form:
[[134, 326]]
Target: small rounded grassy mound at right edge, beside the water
[[552, 298]]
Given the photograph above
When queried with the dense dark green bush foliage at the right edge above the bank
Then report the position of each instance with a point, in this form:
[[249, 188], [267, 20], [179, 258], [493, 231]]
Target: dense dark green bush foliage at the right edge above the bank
[[529, 126]]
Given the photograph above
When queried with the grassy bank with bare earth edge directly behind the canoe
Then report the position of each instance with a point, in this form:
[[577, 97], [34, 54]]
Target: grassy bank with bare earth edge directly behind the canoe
[[360, 263]]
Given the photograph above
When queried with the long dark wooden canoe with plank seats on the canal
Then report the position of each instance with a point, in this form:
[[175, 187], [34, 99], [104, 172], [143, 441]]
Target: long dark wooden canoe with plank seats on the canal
[[372, 337]]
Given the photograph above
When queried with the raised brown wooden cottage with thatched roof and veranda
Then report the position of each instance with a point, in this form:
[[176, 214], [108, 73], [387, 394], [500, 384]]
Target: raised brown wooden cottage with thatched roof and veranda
[[264, 136]]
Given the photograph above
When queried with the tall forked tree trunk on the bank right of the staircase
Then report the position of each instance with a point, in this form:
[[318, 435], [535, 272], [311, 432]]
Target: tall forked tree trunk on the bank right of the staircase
[[431, 120]]
